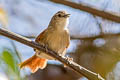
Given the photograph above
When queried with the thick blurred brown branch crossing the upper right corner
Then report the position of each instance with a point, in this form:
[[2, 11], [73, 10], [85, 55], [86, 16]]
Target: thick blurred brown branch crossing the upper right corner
[[96, 12]]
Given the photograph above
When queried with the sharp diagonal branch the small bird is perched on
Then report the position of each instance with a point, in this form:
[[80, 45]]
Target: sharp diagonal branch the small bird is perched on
[[74, 66]]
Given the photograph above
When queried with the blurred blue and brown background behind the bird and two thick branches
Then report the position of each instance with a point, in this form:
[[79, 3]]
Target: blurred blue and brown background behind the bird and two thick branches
[[95, 42]]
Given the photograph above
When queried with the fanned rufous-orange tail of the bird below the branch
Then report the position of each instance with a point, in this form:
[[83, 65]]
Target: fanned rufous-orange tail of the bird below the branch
[[34, 63]]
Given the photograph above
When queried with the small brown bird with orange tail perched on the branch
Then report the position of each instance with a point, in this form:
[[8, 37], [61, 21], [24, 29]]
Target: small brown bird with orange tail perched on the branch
[[55, 37]]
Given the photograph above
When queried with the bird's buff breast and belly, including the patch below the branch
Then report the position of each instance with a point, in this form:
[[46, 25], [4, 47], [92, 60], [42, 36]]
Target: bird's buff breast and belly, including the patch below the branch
[[55, 41]]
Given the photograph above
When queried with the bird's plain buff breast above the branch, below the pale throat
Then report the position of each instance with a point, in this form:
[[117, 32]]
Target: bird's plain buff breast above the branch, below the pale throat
[[56, 41]]
